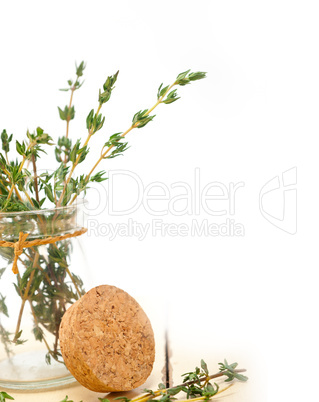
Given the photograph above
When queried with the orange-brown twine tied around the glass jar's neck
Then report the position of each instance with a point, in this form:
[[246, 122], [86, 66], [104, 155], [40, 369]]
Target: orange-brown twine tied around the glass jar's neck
[[22, 243]]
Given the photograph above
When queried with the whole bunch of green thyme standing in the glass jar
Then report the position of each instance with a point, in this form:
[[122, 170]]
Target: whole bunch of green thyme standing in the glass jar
[[46, 283]]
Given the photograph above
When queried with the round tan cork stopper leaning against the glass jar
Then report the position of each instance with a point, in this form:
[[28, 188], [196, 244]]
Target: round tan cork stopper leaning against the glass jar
[[107, 341]]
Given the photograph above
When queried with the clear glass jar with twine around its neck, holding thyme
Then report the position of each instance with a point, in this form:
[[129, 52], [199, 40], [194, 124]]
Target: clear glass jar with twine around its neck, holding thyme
[[51, 276]]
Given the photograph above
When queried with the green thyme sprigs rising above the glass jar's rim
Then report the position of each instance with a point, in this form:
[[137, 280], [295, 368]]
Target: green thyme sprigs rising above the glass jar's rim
[[22, 190]]
